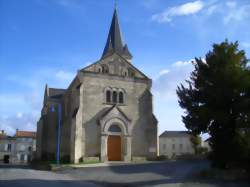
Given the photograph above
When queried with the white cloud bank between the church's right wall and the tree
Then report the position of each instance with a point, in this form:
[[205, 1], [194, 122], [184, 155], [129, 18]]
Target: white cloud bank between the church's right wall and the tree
[[166, 105]]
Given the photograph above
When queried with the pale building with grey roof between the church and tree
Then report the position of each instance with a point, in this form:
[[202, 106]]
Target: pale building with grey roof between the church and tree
[[175, 143]]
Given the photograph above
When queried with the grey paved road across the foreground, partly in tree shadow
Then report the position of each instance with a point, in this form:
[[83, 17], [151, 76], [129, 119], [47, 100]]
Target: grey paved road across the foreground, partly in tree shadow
[[167, 174]]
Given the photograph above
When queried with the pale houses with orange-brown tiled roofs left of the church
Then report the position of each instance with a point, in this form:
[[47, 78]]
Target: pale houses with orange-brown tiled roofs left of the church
[[19, 148]]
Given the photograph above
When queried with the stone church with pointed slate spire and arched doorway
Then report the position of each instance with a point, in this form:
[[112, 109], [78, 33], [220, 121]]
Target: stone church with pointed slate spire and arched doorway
[[106, 113]]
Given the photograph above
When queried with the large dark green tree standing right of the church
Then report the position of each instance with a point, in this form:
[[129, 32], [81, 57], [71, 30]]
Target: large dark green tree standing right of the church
[[216, 100]]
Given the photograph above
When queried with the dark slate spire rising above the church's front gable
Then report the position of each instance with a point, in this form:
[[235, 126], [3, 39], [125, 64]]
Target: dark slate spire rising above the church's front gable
[[114, 41]]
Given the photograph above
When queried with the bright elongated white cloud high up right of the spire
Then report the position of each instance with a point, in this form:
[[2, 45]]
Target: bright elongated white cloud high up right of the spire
[[181, 10]]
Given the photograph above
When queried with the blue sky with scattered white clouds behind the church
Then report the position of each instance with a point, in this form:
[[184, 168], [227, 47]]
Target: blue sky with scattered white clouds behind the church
[[47, 41]]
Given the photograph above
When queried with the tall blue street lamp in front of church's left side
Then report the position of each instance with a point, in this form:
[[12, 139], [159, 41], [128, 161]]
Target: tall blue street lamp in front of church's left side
[[58, 131]]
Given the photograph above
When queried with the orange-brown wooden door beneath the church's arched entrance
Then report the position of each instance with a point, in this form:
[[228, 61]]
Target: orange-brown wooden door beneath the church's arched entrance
[[114, 148]]
